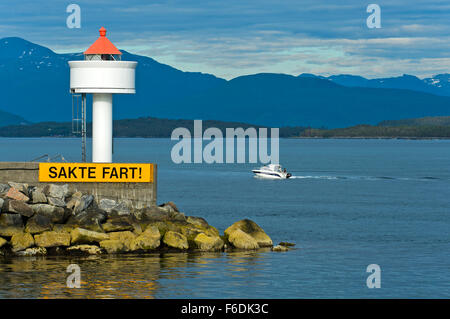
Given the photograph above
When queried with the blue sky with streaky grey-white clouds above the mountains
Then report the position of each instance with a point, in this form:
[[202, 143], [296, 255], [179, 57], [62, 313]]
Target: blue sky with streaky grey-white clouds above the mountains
[[230, 38]]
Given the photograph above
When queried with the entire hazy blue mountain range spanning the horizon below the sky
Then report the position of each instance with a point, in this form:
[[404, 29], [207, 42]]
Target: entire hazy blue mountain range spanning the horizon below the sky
[[35, 81]]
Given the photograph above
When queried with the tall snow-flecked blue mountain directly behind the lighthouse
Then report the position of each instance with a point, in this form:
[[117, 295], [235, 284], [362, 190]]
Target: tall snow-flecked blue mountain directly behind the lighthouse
[[36, 80]]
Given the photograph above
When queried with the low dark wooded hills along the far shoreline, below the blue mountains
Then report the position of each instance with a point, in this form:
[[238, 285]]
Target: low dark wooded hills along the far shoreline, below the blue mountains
[[154, 127]]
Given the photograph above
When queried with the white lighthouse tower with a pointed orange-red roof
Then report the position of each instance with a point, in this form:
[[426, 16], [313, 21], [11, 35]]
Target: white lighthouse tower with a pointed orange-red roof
[[102, 73]]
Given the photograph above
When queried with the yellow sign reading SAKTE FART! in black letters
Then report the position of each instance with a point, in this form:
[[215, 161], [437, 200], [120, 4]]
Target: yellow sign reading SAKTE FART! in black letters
[[96, 172]]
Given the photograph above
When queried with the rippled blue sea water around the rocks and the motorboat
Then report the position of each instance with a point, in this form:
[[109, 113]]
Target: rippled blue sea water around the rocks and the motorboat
[[350, 203]]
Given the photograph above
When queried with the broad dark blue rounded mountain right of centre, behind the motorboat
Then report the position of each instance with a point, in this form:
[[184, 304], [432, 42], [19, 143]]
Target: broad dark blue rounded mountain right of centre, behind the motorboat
[[284, 100]]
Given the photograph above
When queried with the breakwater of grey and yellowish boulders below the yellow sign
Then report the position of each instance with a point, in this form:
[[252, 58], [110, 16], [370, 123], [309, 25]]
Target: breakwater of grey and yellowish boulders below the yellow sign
[[53, 220]]
